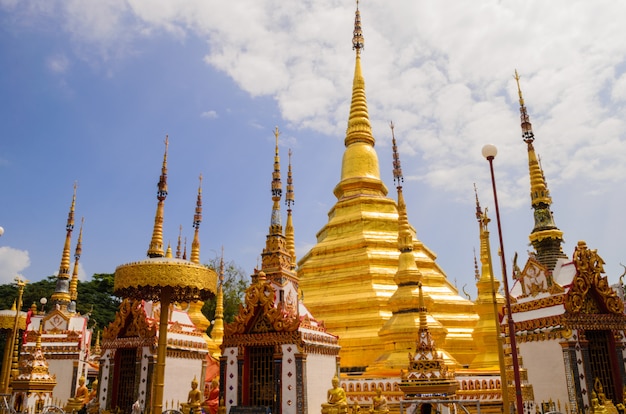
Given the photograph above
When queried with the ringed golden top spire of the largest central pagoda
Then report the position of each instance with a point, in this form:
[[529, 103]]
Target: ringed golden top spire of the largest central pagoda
[[360, 162]]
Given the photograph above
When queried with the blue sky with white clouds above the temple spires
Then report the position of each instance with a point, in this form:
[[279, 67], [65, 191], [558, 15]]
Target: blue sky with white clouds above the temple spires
[[90, 89]]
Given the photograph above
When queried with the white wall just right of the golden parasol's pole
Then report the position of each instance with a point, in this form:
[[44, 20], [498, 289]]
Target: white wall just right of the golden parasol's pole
[[179, 372]]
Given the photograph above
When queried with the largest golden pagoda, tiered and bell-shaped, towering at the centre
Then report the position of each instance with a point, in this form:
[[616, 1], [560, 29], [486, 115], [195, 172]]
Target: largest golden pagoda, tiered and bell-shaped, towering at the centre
[[348, 276]]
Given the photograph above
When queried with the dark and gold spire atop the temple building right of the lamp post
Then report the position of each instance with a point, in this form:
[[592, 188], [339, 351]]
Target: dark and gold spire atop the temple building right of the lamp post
[[545, 237]]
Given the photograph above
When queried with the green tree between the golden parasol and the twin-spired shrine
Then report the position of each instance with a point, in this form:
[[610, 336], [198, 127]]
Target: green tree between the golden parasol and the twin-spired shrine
[[235, 283]]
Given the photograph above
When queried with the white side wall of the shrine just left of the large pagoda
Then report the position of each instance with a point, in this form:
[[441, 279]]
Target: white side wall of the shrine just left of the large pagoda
[[320, 370]]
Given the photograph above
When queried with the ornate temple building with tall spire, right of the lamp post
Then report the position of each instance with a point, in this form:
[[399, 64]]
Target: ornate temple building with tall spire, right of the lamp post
[[570, 323]]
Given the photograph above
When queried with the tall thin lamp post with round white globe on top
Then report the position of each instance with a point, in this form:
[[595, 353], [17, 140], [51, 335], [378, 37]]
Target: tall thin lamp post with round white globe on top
[[489, 152]]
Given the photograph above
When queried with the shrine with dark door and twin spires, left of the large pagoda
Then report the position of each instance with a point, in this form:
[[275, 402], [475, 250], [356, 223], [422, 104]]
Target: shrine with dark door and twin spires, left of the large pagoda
[[275, 354]]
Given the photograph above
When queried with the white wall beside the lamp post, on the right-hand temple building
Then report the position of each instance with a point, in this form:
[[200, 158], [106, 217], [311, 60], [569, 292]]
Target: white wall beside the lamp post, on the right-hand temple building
[[546, 370]]
